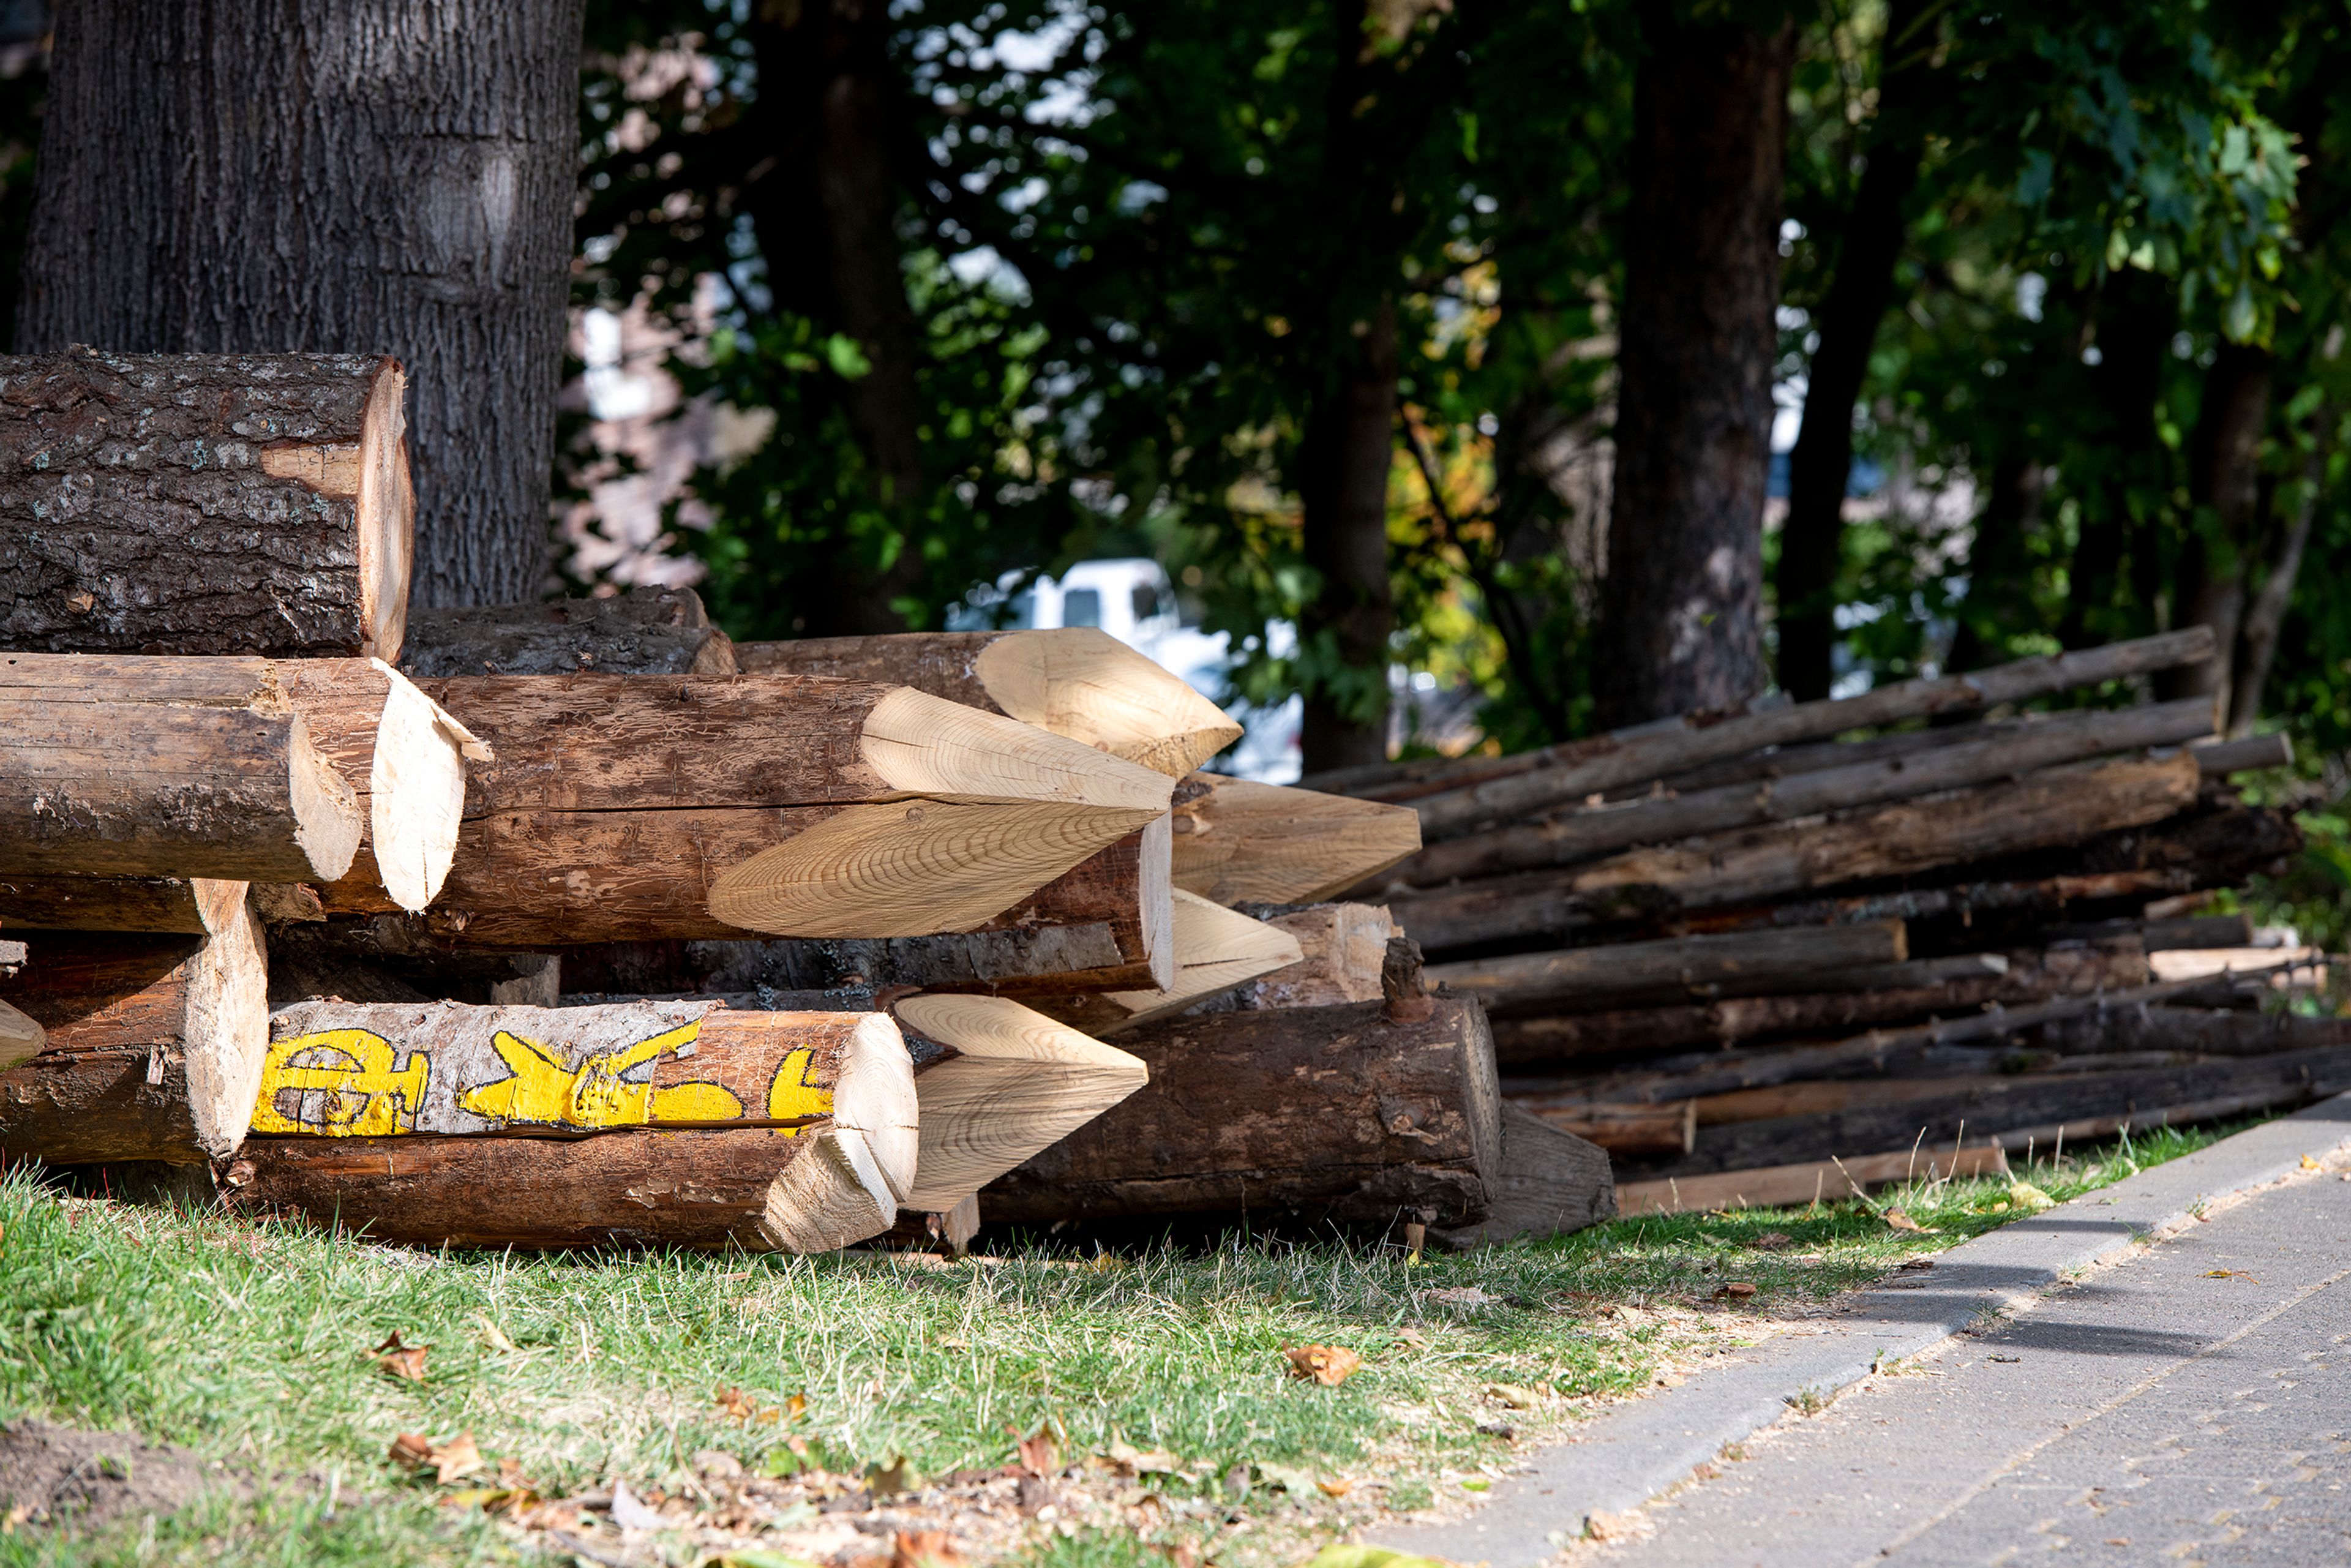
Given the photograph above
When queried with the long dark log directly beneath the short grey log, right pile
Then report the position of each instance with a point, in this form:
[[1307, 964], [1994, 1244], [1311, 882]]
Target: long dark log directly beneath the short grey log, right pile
[[1922, 991]]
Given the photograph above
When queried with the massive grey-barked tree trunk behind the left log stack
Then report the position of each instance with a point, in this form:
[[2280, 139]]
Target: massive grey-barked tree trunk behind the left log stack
[[344, 177]]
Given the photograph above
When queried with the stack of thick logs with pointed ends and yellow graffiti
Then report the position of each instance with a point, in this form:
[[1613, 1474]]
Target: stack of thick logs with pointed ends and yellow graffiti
[[577, 923]]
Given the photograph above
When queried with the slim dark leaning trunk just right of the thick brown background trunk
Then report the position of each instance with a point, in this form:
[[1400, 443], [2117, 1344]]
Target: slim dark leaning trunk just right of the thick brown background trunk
[[1811, 540]]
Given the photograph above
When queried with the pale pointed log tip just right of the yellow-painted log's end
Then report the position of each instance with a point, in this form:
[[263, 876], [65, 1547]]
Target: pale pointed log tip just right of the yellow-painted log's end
[[1019, 1085]]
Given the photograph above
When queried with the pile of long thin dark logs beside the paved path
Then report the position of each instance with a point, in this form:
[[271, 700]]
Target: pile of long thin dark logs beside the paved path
[[1793, 951]]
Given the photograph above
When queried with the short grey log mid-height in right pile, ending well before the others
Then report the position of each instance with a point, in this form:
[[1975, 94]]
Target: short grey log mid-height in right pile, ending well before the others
[[1536, 981]]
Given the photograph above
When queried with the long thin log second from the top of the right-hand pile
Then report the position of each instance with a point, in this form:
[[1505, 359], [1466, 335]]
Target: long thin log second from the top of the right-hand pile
[[1598, 831]]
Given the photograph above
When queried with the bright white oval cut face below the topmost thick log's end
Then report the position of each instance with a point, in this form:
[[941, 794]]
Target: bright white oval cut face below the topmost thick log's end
[[417, 791]]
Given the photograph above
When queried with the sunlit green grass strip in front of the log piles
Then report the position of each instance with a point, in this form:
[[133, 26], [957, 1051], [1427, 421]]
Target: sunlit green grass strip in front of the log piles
[[253, 1343]]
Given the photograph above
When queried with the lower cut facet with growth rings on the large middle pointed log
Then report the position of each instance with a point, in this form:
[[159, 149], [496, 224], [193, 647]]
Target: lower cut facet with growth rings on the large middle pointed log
[[913, 869]]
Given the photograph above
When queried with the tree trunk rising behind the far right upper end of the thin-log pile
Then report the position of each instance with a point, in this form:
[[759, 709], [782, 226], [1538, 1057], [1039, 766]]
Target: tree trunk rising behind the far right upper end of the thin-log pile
[[2225, 488]]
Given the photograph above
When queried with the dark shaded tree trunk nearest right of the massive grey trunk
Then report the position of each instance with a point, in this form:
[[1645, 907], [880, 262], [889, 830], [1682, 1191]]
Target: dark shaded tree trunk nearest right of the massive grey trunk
[[829, 112]]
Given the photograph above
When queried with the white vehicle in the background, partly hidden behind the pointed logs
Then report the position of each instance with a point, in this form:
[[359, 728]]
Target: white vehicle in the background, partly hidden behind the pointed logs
[[1134, 601]]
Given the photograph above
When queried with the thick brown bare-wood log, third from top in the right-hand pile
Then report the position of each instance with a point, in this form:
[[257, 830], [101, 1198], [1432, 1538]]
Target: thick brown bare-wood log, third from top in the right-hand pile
[[2056, 808]]
